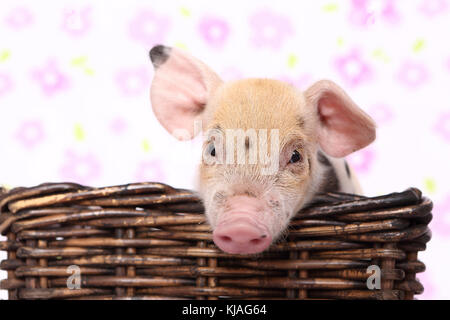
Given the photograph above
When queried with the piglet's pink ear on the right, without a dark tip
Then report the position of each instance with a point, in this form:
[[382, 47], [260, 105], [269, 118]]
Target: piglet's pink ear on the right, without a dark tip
[[344, 127]]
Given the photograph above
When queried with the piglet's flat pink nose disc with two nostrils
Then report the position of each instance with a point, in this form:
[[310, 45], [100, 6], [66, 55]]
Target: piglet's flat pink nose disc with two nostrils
[[241, 236]]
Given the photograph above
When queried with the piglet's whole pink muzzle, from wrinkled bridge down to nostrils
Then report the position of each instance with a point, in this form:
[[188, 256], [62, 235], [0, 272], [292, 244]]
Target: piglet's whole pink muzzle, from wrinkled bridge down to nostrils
[[240, 231]]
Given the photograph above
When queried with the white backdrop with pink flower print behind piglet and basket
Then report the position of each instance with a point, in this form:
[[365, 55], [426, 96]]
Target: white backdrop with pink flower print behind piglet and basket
[[75, 77]]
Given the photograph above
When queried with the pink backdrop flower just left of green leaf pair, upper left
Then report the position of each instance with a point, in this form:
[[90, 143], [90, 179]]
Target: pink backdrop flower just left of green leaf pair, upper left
[[50, 78]]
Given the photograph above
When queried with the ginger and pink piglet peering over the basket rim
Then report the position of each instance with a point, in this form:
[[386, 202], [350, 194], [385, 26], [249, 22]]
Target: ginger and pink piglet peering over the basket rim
[[268, 148]]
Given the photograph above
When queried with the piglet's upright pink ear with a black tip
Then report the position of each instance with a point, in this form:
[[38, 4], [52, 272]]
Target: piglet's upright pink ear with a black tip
[[181, 88]]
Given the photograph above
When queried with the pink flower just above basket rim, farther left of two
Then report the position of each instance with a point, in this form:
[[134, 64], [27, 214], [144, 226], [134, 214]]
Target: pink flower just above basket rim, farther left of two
[[80, 168]]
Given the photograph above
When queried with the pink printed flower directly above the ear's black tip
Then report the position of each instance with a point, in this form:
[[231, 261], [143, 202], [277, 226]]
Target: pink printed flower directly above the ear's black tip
[[149, 28]]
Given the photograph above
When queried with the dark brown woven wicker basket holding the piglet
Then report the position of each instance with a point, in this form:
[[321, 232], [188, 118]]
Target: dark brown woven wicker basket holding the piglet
[[150, 241]]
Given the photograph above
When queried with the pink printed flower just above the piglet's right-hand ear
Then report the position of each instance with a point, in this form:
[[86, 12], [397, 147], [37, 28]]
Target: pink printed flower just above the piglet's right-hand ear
[[353, 69]]
